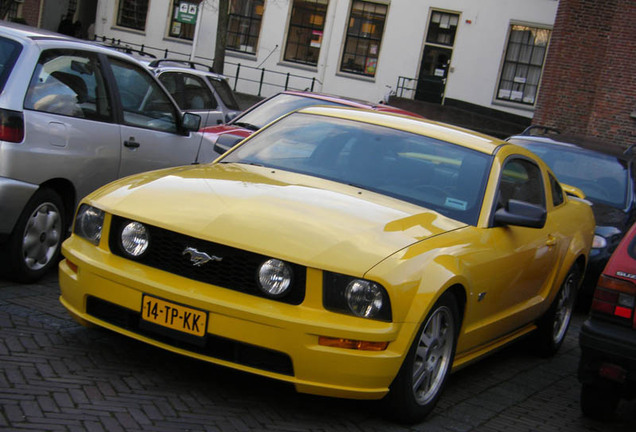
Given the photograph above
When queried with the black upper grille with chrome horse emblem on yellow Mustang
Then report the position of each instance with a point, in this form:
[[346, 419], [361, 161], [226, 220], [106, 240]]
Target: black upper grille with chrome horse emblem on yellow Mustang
[[236, 271]]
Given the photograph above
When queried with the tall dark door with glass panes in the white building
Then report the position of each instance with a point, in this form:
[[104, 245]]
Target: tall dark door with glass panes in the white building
[[436, 58]]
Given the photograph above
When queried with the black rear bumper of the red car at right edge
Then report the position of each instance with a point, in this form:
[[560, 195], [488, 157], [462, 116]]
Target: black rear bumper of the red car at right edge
[[604, 343]]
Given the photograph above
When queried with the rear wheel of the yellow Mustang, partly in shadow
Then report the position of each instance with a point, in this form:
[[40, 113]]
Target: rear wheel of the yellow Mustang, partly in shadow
[[554, 324]]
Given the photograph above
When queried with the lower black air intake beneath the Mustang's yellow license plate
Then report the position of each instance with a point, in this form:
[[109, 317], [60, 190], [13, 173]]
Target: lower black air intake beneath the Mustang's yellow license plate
[[209, 345]]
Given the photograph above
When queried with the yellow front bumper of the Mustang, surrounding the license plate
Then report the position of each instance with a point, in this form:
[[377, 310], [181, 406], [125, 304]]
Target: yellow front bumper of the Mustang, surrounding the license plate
[[244, 332]]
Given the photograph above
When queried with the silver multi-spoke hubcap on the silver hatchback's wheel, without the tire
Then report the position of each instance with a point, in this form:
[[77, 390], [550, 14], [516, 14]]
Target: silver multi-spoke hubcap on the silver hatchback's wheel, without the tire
[[42, 236]]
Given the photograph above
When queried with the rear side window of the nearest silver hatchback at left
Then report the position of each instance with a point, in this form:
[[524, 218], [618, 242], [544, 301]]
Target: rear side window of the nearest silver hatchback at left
[[69, 83]]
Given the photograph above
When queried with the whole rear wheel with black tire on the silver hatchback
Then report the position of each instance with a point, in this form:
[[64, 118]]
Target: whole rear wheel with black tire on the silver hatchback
[[34, 246]]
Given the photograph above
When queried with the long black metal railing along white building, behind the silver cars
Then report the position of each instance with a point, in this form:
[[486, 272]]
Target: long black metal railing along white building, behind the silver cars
[[247, 79]]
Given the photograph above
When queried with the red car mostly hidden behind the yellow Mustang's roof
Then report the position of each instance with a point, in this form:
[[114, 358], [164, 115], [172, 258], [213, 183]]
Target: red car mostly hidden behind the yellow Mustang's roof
[[224, 137]]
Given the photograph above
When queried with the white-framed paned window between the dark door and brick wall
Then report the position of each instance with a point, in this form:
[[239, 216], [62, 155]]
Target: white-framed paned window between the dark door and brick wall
[[523, 64]]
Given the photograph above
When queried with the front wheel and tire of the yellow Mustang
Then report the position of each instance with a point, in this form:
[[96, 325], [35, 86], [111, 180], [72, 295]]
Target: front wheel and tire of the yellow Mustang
[[422, 377]]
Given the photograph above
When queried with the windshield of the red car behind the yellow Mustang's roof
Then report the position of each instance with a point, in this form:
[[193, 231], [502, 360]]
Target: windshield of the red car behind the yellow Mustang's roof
[[275, 107]]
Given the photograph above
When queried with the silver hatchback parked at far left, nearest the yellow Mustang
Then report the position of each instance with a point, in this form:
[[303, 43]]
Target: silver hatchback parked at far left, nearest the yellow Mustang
[[74, 116]]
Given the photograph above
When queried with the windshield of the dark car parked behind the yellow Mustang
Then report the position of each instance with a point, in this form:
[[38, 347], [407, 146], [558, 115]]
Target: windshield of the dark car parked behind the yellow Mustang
[[603, 178]]
